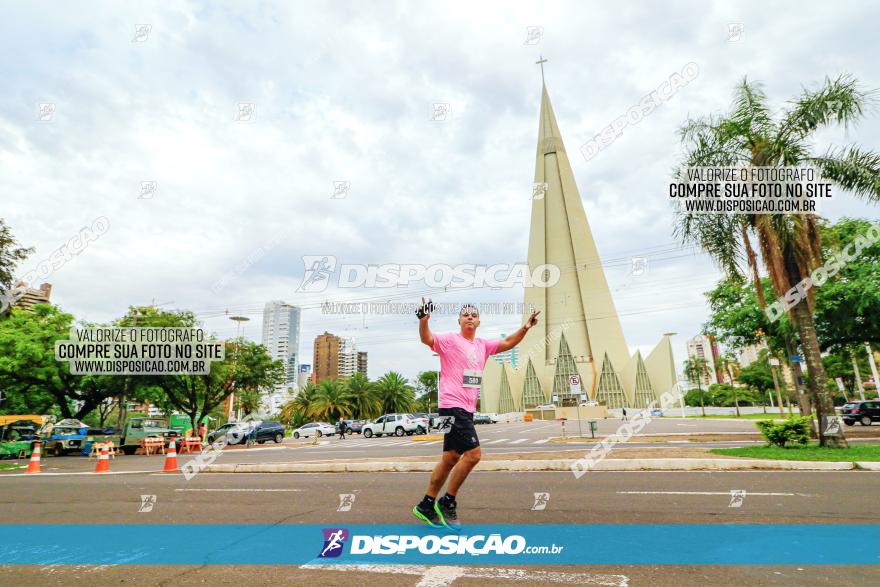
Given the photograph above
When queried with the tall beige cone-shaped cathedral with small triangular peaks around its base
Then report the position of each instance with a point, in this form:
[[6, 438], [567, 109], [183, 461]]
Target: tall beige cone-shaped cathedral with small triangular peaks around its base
[[578, 332]]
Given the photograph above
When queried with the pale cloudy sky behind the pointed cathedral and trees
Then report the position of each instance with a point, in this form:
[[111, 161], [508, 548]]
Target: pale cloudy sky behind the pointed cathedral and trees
[[131, 111]]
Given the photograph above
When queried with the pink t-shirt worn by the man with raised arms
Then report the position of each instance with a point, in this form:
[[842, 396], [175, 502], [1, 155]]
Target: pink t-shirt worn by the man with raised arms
[[457, 355]]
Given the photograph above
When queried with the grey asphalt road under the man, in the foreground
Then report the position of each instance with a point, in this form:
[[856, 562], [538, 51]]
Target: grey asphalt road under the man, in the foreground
[[611, 498]]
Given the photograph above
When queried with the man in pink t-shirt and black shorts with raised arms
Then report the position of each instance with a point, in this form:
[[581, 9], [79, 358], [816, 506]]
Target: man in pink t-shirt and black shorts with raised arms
[[462, 359]]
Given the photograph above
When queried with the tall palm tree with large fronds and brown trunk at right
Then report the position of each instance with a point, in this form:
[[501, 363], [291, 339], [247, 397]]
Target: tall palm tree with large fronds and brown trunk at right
[[789, 243]]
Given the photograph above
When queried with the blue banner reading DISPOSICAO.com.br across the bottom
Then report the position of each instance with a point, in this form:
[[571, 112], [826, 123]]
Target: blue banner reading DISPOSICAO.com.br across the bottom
[[655, 544]]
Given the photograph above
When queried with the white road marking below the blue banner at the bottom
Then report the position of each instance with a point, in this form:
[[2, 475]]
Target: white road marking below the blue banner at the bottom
[[519, 575]]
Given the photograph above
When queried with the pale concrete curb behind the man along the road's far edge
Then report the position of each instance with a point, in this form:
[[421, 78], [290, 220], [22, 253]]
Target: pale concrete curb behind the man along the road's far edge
[[548, 465]]
